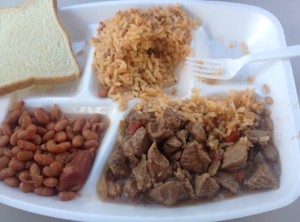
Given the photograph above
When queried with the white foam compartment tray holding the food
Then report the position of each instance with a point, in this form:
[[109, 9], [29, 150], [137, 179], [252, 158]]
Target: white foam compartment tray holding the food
[[223, 24]]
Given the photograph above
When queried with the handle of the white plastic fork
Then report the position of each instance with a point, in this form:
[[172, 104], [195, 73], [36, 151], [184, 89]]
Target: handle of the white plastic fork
[[287, 52]]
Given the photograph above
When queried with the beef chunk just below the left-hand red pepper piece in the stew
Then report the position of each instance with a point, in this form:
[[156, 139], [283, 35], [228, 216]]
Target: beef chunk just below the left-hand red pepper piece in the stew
[[137, 145]]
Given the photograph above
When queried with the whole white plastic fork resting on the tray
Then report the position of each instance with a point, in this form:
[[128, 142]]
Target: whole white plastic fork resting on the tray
[[227, 68]]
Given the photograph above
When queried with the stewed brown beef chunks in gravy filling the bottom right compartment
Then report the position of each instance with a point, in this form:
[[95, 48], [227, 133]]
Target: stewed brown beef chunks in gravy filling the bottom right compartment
[[171, 160]]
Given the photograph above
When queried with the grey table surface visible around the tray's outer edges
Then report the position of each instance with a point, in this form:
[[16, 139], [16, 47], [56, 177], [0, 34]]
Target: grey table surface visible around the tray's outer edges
[[288, 14]]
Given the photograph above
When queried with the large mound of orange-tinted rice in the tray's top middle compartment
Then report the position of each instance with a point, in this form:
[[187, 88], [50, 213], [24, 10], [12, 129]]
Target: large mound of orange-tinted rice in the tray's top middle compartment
[[136, 51]]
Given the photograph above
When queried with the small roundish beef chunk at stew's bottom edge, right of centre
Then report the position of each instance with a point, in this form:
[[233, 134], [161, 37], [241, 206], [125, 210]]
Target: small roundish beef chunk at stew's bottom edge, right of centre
[[205, 186]]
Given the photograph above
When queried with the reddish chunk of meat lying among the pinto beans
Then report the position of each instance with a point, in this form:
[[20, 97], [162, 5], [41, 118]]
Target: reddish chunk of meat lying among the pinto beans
[[76, 172]]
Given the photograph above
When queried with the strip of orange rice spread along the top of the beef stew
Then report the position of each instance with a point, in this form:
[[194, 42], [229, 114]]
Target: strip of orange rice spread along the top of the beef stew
[[238, 111]]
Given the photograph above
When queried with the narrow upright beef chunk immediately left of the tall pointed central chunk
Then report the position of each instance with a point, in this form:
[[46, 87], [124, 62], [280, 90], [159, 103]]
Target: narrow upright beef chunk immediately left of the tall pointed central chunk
[[141, 175]]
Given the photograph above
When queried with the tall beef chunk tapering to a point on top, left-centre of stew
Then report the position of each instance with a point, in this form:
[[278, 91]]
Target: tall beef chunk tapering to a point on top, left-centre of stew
[[158, 164]]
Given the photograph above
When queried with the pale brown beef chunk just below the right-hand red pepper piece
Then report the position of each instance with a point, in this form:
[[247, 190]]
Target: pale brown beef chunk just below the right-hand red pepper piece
[[235, 157]]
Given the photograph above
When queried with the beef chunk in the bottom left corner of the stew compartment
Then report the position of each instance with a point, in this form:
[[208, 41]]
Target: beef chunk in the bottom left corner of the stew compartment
[[109, 189]]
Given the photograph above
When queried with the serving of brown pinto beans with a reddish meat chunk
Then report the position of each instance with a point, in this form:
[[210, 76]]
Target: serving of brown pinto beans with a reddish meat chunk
[[46, 152]]
